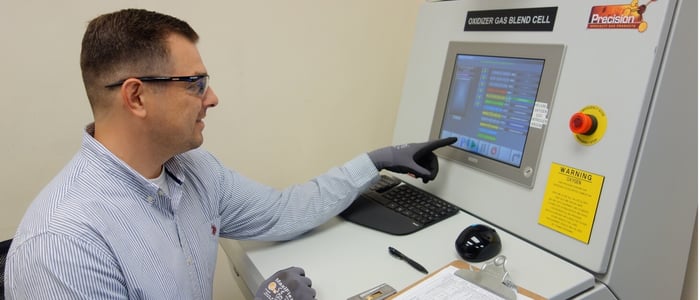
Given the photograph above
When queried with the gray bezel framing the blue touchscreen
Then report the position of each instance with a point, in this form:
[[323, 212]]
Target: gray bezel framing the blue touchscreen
[[552, 56]]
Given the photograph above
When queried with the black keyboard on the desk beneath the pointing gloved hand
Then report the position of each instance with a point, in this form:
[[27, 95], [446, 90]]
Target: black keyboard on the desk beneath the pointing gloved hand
[[396, 207]]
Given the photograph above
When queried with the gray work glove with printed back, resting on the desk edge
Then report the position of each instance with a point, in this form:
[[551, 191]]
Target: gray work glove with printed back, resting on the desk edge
[[287, 284]]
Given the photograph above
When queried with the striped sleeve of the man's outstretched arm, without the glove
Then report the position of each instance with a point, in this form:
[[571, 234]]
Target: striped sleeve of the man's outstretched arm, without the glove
[[251, 210]]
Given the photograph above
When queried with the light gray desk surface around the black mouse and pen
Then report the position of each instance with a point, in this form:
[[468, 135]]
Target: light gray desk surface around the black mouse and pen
[[343, 259]]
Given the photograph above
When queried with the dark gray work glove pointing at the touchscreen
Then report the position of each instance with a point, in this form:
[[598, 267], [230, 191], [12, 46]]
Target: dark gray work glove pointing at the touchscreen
[[416, 159]]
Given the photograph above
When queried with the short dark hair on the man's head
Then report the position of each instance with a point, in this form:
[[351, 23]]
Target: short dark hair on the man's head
[[129, 42]]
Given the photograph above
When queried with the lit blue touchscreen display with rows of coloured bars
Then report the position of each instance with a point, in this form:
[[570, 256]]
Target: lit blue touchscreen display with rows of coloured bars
[[490, 103]]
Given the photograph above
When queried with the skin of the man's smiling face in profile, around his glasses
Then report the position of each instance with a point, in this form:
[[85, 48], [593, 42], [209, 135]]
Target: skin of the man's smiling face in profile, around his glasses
[[176, 116]]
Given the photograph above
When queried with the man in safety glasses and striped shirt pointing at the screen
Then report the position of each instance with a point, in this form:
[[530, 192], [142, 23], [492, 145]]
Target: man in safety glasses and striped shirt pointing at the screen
[[138, 211]]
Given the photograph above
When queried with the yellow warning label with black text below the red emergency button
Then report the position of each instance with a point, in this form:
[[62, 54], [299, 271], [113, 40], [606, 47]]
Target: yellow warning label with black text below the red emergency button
[[570, 201]]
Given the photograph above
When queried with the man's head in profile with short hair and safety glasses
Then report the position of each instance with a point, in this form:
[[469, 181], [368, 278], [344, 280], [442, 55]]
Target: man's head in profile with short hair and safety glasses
[[146, 82]]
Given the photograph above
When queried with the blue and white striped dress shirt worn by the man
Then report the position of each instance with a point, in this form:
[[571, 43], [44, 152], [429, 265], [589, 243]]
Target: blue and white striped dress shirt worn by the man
[[99, 230]]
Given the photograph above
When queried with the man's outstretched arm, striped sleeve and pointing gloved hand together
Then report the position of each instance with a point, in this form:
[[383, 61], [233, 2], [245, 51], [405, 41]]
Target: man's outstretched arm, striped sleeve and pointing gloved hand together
[[250, 210]]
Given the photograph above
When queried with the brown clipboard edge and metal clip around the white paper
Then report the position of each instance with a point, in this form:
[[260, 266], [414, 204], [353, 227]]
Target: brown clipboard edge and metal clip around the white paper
[[464, 268]]
